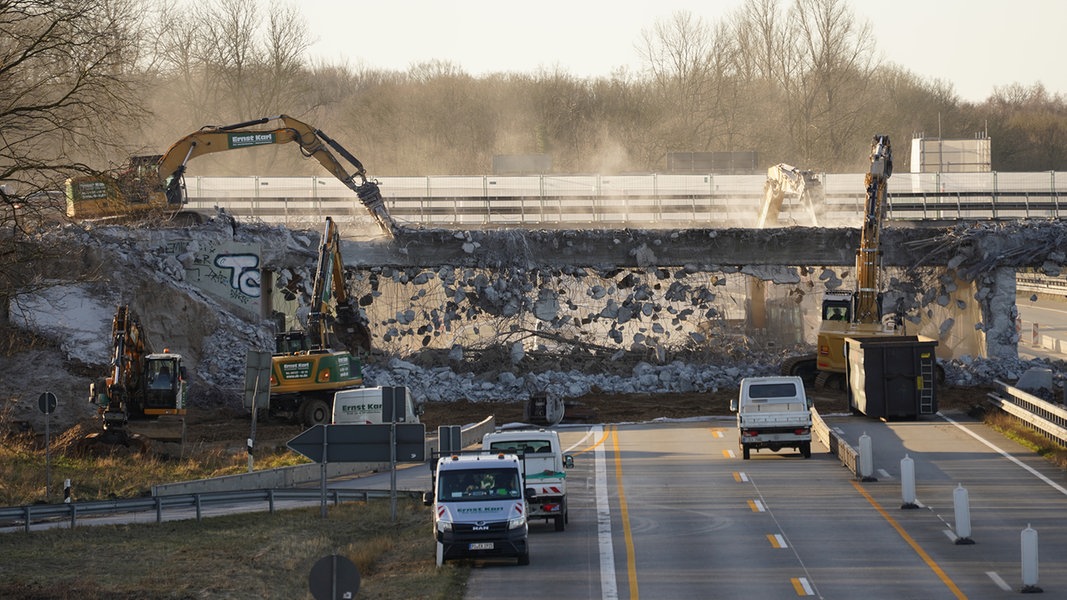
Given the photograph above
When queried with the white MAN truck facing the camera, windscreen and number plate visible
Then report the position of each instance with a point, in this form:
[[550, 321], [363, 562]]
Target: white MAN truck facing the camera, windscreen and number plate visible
[[480, 508]]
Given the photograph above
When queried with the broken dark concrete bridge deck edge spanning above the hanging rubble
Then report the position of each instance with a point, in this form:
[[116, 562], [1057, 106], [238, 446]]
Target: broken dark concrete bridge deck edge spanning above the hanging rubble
[[965, 247]]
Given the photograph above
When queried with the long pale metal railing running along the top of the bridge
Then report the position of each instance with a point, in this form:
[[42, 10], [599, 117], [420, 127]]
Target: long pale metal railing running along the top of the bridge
[[619, 201]]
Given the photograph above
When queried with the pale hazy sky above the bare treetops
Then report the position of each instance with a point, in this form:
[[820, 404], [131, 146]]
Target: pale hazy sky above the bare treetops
[[976, 45]]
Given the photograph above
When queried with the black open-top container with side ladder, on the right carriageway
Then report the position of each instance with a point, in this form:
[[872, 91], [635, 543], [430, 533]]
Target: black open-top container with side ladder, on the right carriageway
[[891, 376]]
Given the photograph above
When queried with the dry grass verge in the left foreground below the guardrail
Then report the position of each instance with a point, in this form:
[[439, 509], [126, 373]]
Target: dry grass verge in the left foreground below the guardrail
[[257, 556]]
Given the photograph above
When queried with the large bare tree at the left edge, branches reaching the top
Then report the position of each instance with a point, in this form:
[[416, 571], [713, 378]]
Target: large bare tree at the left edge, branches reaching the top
[[68, 72]]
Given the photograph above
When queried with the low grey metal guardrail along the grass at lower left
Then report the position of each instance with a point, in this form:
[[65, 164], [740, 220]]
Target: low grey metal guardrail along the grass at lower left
[[29, 515]]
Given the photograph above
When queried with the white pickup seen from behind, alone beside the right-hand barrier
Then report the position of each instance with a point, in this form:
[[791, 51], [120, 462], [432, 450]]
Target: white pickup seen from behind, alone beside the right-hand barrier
[[774, 414]]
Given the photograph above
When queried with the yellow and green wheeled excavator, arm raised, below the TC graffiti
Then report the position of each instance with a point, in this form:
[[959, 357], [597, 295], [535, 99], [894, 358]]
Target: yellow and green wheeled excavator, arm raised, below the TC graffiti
[[309, 367]]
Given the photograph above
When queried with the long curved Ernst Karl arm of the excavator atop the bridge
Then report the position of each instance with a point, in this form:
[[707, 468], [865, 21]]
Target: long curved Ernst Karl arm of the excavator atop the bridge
[[313, 144]]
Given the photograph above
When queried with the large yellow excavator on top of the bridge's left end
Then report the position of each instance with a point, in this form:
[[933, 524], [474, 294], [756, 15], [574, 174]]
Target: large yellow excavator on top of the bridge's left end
[[154, 186]]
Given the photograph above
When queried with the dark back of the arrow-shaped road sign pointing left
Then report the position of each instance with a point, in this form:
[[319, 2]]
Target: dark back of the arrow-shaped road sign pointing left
[[361, 444]]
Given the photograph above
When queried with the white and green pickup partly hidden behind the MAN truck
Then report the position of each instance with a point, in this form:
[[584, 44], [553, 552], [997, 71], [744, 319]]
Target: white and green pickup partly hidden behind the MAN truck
[[544, 464]]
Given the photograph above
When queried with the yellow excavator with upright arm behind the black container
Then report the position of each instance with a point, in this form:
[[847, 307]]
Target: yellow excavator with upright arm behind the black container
[[859, 313]]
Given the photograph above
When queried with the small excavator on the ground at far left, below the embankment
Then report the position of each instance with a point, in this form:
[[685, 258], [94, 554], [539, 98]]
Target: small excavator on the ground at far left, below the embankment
[[144, 398]]
